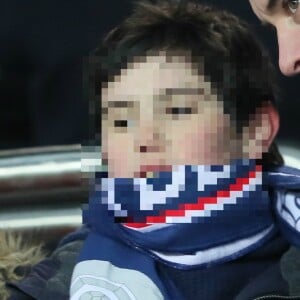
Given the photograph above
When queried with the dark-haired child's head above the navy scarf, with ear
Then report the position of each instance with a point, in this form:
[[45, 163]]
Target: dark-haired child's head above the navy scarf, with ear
[[183, 84]]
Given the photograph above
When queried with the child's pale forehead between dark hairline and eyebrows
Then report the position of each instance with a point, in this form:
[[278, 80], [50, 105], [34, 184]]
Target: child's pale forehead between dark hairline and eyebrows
[[157, 73]]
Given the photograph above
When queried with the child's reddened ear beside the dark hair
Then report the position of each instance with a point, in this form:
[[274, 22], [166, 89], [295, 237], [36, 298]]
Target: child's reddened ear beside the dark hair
[[262, 129]]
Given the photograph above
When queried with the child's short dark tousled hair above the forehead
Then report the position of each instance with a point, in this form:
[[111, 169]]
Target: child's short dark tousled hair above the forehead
[[234, 61]]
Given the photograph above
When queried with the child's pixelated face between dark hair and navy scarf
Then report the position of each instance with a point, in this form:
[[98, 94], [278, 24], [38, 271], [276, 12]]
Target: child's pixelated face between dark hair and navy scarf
[[160, 112]]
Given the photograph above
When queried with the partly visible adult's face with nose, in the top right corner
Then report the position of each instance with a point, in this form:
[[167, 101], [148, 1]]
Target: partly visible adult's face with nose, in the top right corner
[[284, 15]]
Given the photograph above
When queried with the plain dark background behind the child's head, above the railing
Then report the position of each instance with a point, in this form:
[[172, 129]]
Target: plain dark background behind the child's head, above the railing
[[42, 45]]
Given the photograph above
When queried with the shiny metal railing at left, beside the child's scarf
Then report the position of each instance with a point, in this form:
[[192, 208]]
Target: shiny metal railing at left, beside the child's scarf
[[41, 190]]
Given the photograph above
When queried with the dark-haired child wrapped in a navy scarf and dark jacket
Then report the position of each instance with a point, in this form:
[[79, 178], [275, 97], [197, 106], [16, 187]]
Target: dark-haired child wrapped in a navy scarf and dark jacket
[[191, 205]]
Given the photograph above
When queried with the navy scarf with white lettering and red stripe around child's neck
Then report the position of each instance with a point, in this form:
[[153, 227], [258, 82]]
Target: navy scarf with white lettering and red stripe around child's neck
[[192, 217]]
